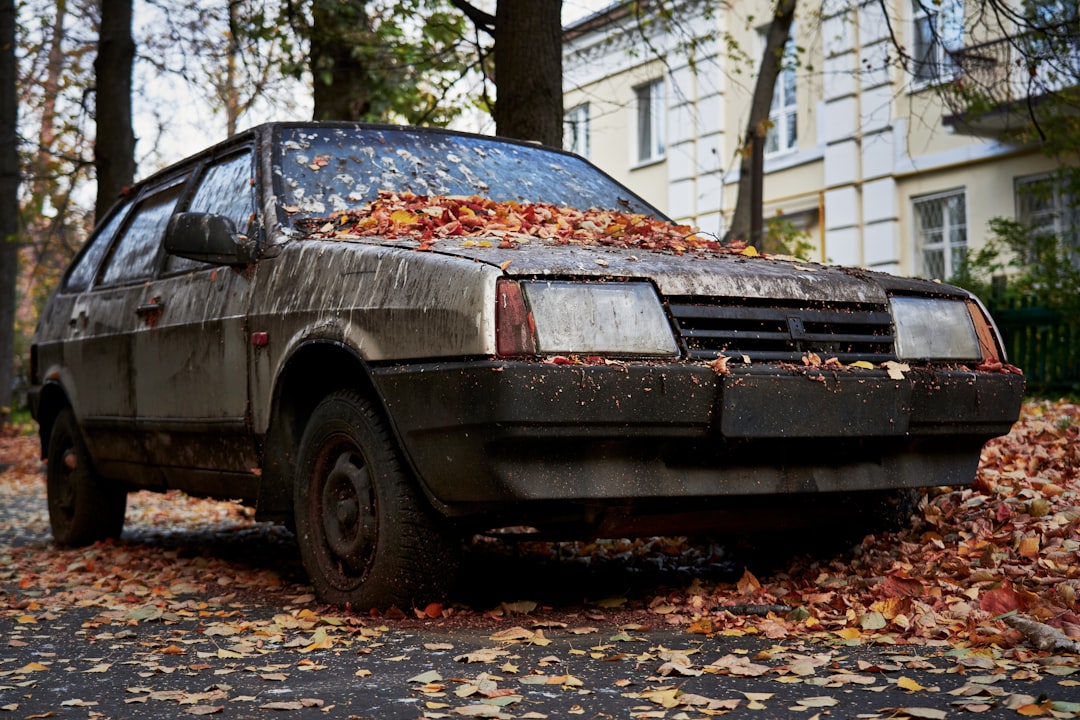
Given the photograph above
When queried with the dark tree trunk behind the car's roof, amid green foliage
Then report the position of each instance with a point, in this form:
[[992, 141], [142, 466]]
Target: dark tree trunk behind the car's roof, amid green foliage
[[340, 35]]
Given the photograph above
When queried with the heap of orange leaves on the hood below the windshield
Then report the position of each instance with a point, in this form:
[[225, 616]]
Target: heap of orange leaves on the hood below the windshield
[[429, 220]]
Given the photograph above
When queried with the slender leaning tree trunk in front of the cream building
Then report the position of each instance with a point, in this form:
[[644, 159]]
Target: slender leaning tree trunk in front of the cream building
[[747, 223]]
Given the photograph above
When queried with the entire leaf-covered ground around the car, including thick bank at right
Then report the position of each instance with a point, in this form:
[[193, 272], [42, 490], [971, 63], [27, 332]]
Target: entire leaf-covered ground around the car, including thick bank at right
[[981, 594]]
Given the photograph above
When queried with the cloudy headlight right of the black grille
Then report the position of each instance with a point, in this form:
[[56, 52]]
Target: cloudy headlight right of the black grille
[[935, 330]]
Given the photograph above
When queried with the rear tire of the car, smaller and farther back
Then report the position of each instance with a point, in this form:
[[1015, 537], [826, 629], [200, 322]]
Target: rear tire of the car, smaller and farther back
[[84, 508]]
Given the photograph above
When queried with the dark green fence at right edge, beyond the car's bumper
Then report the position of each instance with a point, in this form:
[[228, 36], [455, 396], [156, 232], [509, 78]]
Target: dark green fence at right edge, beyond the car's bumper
[[1044, 344]]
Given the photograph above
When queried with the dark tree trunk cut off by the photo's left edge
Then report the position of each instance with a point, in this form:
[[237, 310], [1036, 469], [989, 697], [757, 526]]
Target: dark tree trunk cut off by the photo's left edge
[[9, 203]]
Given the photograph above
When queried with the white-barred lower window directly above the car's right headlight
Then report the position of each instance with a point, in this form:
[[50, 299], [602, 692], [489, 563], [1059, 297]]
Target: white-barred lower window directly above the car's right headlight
[[941, 227]]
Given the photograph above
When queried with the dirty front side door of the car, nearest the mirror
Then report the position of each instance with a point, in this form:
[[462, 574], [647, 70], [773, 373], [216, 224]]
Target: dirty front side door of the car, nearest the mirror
[[192, 360]]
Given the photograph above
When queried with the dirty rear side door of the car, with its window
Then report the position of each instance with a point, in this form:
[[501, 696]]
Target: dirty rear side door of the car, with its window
[[104, 319]]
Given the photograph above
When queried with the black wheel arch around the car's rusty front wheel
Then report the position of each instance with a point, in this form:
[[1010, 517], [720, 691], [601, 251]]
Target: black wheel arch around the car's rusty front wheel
[[315, 370]]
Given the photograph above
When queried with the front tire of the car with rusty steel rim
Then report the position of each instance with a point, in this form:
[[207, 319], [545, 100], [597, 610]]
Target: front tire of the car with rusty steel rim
[[368, 536]]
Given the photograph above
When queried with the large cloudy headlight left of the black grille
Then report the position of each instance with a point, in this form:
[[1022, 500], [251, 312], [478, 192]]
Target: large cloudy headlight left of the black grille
[[602, 319]]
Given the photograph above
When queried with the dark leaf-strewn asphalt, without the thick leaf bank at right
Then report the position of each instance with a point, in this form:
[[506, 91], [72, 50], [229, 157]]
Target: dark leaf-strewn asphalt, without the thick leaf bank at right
[[197, 610]]
